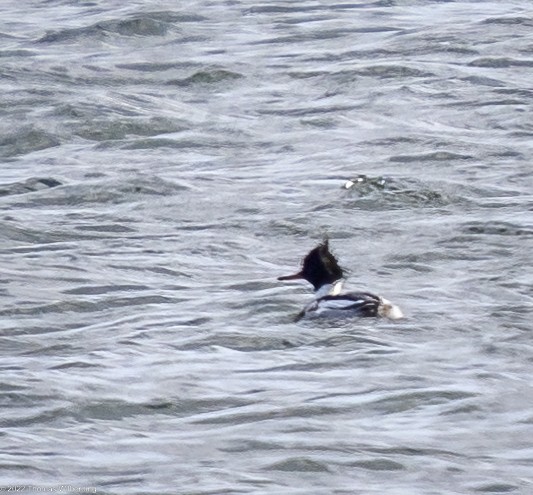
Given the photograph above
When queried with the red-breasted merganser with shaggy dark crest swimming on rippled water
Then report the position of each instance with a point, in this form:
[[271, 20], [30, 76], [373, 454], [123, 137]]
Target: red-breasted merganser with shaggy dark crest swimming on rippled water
[[320, 268]]
